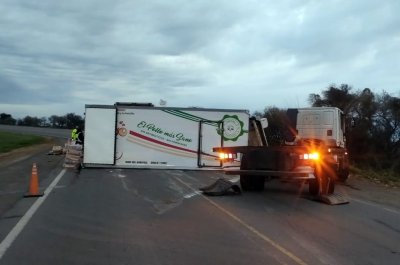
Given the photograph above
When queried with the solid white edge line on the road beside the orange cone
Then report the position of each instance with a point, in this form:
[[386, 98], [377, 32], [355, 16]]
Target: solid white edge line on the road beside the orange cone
[[7, 242]]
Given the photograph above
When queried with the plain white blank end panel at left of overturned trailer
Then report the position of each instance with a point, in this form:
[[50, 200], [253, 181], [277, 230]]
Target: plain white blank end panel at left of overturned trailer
[[99, 147]]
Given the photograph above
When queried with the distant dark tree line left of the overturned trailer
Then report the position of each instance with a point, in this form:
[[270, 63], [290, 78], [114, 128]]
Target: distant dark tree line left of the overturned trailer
[[67, 121]]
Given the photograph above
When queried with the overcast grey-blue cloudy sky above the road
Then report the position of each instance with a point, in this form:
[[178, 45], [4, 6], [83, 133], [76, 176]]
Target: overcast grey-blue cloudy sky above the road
[[57, 56]]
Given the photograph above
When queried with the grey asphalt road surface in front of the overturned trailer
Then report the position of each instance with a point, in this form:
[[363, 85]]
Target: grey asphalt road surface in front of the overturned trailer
[[128, 216]]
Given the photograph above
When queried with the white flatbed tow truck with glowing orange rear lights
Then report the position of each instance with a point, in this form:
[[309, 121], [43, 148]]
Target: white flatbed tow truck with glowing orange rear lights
[[315, 154]]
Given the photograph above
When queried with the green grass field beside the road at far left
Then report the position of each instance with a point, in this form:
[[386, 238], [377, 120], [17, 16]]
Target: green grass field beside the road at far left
[[10, 141]]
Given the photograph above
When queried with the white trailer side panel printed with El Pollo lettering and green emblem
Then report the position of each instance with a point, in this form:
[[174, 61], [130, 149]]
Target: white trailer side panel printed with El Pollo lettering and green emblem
[[168, 137]]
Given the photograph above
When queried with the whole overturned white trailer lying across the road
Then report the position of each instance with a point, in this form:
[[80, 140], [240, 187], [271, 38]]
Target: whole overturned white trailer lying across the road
[[144, 136]]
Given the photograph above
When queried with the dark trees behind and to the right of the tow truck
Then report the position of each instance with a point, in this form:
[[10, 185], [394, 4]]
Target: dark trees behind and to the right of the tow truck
[[372, 124]]
